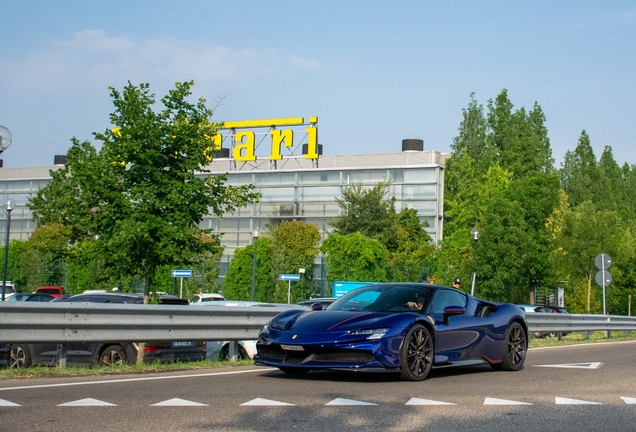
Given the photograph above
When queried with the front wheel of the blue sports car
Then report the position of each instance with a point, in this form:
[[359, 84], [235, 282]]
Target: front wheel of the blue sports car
[[416, 354]]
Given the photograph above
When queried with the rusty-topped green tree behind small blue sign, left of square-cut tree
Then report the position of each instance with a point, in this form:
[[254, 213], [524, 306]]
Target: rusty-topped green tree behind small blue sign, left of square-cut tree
[[295, 245]]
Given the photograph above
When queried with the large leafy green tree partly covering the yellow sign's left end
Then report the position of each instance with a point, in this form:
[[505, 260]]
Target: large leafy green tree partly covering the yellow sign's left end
[[140, 193]]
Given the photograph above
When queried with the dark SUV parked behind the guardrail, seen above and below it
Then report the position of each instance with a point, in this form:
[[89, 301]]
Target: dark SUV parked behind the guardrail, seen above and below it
[[108, 353]]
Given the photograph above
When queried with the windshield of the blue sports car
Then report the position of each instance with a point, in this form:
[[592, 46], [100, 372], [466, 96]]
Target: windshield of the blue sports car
[[384, 298]]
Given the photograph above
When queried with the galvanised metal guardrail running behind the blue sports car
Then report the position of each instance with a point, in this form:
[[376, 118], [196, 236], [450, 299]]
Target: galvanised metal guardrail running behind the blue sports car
[[98, 322]]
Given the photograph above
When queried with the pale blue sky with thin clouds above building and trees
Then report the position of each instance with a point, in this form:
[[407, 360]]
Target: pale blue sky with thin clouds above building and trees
[[373, 72]]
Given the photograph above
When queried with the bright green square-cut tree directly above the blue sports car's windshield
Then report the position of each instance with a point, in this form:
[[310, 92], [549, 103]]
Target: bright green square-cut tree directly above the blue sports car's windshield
[[355, 257]]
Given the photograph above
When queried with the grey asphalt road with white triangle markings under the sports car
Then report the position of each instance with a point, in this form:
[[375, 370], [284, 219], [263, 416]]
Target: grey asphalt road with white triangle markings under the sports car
[[577, 388]]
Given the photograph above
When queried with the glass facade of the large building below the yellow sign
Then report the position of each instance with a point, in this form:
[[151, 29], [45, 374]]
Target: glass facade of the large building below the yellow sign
[[306, 194]]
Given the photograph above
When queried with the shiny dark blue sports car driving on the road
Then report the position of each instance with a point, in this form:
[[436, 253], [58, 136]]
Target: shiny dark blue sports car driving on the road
[[401, 327]]
